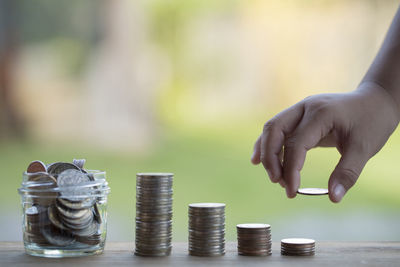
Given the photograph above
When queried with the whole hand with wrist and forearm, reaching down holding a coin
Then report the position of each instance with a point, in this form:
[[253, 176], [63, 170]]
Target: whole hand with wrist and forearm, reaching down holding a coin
[[357, 123]]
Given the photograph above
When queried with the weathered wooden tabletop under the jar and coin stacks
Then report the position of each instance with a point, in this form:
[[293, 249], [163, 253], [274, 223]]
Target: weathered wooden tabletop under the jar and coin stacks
[[336, 254]]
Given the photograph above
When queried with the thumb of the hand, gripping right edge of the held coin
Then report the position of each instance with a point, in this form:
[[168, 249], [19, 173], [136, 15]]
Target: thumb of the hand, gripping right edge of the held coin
[[346, 173]]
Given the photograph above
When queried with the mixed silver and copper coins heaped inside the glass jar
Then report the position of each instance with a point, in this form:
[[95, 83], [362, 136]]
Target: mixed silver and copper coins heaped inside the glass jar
[[63, 212]]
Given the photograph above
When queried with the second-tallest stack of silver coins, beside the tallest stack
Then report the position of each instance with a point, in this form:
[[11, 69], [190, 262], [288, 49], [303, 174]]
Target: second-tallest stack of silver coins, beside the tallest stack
[[207, 229]]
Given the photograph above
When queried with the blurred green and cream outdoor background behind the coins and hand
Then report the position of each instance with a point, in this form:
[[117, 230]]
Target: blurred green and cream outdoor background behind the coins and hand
[[185, 86]]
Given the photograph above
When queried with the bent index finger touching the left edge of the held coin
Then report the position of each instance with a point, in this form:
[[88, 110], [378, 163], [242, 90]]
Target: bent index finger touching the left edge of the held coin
[[306, 136]]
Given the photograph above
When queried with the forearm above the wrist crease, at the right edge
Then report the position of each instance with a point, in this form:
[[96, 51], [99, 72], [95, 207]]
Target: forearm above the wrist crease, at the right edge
[[385, 69]]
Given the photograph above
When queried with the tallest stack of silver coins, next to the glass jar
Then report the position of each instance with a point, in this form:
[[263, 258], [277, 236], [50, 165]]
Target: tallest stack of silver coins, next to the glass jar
[[153, 214]]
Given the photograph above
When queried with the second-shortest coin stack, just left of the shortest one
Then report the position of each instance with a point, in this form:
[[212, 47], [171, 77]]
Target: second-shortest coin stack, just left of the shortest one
[[254, 239]]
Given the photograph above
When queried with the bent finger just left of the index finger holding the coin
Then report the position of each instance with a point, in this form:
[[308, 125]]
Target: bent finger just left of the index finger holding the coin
[[272, 139]]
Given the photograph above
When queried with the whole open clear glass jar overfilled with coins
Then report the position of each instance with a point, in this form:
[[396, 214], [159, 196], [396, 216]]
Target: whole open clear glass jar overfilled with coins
[[64, 209]]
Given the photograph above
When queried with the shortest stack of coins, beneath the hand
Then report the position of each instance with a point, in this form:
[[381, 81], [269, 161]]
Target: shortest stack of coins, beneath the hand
[[297, 247]]
